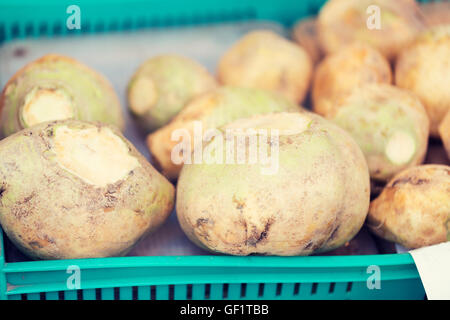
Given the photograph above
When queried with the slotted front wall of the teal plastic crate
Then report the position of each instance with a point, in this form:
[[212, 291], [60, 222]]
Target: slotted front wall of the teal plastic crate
[[212, 277]]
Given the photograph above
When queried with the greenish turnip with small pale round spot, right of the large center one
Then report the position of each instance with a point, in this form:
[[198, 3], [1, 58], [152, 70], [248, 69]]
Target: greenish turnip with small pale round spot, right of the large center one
[[389, 124]]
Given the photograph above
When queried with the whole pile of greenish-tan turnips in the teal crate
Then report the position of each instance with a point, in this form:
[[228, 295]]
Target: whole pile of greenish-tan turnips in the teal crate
[[72, 186]]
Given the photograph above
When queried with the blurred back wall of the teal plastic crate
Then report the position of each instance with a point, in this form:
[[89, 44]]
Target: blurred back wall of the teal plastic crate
[[29, 18]]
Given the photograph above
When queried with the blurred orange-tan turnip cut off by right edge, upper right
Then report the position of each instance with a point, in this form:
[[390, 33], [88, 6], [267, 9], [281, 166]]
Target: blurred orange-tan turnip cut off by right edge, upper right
[[424, 68]]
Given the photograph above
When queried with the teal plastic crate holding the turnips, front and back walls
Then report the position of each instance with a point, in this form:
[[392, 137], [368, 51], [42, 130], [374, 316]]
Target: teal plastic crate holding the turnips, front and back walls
[[188, 277]]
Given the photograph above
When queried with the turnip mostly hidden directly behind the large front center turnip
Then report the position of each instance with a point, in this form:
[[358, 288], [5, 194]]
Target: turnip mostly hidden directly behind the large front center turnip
[[212, 110]]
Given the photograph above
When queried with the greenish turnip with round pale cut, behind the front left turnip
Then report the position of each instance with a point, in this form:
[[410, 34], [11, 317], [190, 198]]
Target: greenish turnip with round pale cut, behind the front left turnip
[[56, 87]]
